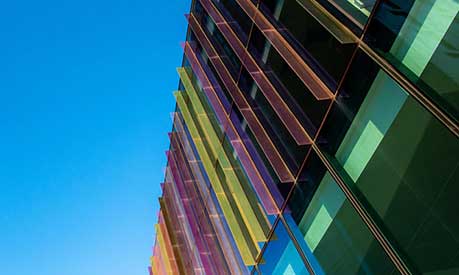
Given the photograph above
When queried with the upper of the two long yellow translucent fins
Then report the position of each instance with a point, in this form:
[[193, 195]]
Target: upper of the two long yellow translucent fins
[[245, 198]]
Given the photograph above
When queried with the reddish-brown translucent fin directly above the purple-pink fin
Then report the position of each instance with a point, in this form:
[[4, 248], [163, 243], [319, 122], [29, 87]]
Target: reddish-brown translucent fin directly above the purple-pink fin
[[262, 137]]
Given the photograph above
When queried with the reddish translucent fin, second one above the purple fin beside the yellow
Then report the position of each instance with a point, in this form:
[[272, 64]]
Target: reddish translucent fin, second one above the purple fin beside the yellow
[[292, 124]]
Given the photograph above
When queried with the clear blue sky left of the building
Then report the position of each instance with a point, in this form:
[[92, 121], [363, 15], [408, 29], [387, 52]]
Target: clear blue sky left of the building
[[84, 113]]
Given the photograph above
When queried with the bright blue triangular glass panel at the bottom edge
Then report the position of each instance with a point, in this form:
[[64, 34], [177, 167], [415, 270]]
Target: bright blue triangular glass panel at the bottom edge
[[281, 255]]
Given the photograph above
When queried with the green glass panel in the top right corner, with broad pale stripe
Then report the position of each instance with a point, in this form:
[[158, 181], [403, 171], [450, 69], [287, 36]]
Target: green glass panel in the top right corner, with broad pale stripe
[[421, 38]]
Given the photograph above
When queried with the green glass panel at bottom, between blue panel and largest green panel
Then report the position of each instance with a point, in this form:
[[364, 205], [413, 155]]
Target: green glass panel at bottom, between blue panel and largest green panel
[[333, 237]]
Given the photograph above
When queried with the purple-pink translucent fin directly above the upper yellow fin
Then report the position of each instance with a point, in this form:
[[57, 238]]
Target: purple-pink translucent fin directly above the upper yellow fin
[[247, 162]]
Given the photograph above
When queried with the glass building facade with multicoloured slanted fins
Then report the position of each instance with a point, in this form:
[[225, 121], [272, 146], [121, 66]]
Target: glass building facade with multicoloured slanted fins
[[314, 137]]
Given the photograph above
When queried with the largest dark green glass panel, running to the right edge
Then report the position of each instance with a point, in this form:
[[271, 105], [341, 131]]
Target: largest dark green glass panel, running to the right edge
[[404, 161]]
